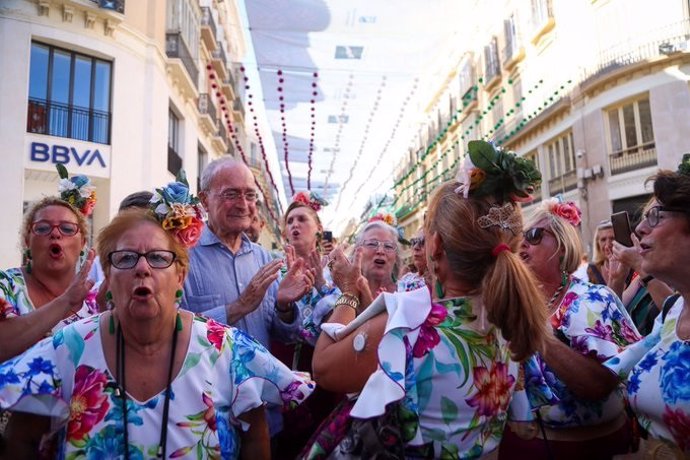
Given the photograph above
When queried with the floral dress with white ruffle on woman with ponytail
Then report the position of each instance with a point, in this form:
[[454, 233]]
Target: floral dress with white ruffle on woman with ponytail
[[457, 385]]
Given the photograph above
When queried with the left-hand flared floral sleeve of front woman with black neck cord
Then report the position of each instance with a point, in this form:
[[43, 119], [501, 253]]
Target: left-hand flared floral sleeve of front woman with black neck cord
[[31, 383]]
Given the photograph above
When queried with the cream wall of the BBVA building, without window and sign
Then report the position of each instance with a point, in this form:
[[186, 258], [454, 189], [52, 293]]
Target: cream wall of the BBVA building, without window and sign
[[146, 80]]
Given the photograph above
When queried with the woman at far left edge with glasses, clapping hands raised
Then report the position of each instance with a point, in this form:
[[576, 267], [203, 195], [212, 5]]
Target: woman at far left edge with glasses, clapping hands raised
[[49, 290]]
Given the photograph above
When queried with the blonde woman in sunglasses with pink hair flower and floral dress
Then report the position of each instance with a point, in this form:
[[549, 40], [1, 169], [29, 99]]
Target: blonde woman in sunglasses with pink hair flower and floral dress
[[582, 415]]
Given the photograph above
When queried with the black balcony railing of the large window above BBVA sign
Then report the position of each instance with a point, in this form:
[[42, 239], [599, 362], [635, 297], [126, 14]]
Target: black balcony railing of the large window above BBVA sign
[[63, 120]]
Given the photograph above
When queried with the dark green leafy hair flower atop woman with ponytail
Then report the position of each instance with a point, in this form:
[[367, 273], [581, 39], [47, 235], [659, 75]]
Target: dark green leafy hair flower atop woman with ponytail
[[490, 171]]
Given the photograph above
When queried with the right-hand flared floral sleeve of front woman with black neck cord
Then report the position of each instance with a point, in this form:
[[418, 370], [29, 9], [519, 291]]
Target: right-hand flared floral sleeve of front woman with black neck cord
[[257, 377]]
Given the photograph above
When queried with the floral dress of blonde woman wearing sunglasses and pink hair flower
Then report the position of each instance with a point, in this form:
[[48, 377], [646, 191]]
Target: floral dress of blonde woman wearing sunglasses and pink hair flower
[[592, 321]]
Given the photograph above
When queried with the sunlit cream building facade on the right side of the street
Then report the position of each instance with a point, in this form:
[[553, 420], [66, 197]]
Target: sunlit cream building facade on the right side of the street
[[595, 92]]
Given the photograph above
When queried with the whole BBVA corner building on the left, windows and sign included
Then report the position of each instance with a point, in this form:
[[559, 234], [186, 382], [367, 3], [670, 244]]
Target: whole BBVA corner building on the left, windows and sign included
[[126, 92]]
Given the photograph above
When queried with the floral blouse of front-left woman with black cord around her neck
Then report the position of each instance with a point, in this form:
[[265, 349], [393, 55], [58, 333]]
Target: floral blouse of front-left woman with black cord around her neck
[[225, 373]]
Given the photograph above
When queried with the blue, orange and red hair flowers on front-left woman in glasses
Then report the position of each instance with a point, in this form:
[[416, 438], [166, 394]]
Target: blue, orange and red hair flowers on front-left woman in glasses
[[179, 211]]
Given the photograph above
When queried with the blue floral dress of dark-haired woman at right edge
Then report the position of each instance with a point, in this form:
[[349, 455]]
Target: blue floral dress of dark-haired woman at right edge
[[657, 370]]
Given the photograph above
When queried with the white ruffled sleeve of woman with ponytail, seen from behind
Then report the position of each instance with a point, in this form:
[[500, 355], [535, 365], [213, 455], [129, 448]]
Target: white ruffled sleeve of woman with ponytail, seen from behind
[[406, 313]]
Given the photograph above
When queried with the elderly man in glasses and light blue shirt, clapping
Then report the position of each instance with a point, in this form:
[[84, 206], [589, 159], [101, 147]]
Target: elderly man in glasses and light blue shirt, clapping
[[233, 280]]
